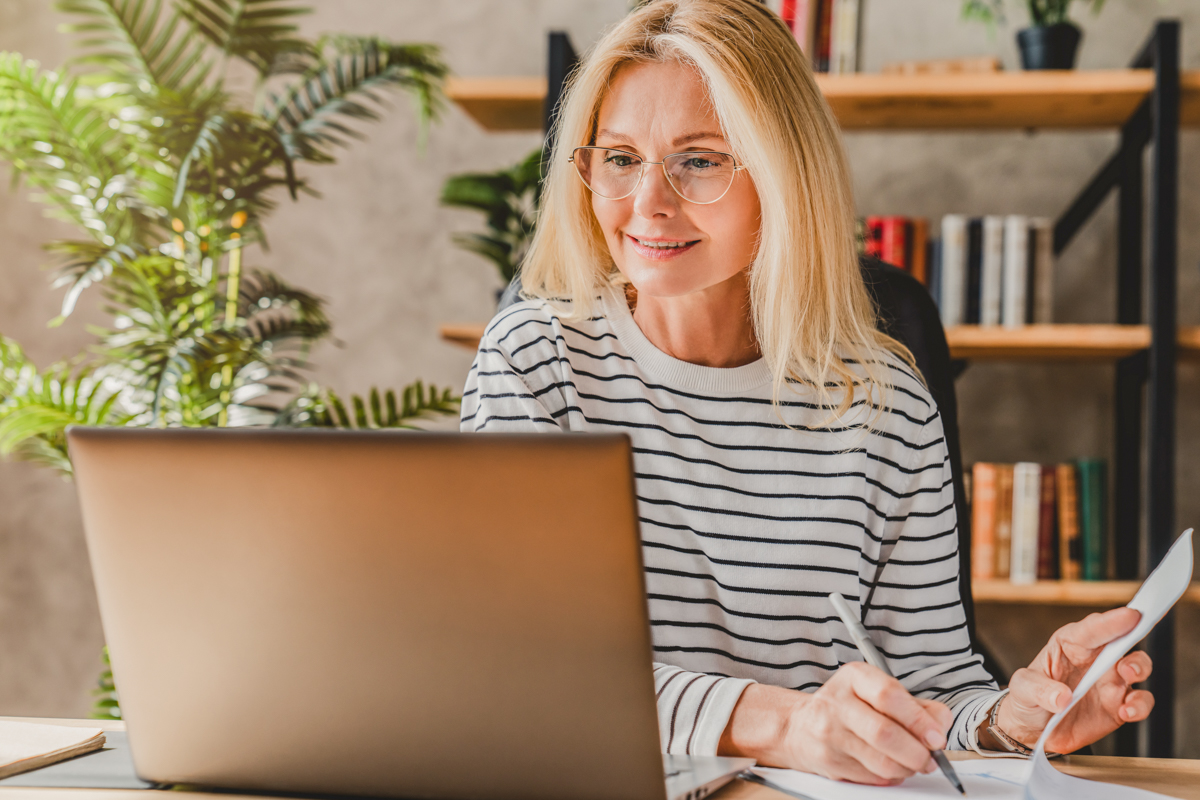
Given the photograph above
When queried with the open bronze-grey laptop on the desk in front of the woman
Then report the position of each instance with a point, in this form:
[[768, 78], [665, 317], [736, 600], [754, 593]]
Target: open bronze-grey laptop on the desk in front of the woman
[[380, 613]]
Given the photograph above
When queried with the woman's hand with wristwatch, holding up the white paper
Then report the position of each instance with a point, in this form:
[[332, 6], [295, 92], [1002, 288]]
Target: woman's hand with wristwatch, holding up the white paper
[[1043, 689]]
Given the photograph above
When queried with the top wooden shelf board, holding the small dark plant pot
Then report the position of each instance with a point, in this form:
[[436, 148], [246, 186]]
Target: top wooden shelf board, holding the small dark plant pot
[[1052, 99]]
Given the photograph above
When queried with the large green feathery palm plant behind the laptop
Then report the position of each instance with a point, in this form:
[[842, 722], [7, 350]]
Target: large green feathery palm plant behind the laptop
[[148, 143]]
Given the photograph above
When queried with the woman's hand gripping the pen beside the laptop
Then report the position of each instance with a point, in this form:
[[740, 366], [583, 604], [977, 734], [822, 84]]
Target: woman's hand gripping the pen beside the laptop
[[862, 726]]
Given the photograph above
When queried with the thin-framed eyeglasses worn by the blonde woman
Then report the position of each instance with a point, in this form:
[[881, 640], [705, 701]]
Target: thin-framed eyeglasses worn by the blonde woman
[[699, 178]]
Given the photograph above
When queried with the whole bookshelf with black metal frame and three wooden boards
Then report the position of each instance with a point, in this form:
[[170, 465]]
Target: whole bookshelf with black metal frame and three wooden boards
[[1147, 105]]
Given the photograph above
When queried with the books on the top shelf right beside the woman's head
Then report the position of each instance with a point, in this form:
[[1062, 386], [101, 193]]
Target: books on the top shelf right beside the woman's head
[[827, 31]]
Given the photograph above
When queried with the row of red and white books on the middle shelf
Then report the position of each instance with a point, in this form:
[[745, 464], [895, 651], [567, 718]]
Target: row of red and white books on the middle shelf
[[994, 270]]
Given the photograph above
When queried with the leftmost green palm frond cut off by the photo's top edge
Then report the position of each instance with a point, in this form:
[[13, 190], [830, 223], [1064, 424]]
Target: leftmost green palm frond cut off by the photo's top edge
[[140, 44]]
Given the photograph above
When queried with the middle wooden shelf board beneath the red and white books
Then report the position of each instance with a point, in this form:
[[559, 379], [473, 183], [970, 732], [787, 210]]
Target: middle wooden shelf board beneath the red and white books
[[1029, 344]]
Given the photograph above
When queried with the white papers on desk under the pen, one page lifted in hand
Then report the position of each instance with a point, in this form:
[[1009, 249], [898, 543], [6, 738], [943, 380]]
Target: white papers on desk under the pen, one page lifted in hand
[[1001, 779]]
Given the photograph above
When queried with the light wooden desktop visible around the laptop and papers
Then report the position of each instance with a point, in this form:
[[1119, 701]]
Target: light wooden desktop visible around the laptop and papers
[[1174, 778]]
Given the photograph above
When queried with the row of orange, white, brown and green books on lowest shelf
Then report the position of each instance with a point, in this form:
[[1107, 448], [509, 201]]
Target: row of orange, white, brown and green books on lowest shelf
[[1039, 522]]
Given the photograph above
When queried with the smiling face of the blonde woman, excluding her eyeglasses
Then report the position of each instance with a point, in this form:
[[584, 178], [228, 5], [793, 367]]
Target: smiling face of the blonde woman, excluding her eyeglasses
[[657, 110]]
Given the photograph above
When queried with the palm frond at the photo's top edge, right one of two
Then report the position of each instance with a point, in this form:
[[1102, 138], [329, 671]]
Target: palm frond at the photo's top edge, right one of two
[[259, 32]]
